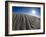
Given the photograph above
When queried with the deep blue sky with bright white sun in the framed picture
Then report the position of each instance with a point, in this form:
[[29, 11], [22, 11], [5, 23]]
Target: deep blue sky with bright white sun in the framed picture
[[26, 10]]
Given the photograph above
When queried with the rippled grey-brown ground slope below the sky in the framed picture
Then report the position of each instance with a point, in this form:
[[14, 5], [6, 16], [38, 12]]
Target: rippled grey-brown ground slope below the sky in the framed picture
[[25, 22]]
